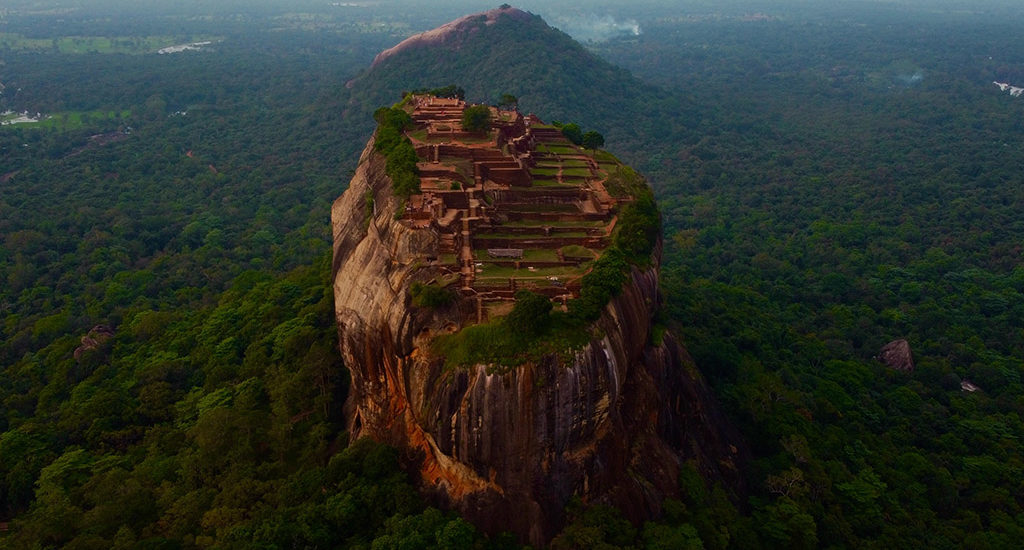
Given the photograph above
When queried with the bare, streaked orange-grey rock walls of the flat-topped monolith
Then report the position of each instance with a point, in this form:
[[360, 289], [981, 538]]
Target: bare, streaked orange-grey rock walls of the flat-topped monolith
[[508, 451]]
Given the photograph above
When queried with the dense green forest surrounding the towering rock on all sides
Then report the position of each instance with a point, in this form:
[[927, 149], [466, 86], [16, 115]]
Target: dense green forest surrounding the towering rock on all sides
[[832, 178]]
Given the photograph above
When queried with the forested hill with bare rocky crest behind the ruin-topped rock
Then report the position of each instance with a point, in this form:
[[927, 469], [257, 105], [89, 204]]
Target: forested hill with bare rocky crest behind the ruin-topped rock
[[507, 51]]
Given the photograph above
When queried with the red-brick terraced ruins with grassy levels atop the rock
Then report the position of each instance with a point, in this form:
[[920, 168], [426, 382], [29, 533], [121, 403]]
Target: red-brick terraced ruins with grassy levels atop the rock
[[518, 207]]
